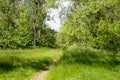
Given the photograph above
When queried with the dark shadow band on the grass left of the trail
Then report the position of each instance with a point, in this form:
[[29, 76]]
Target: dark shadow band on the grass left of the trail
[[12, 63]]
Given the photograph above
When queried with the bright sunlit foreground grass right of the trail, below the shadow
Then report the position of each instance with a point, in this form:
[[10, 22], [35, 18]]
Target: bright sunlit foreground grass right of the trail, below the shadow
[[82, 72]]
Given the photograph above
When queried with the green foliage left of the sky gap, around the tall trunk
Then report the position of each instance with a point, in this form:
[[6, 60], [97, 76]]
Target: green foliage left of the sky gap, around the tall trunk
[[17, 22]]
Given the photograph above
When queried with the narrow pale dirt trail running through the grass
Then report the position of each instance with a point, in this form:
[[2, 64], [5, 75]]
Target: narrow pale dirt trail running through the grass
[[42, 75]]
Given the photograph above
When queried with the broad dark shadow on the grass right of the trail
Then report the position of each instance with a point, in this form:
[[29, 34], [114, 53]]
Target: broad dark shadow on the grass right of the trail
[[89, 56]]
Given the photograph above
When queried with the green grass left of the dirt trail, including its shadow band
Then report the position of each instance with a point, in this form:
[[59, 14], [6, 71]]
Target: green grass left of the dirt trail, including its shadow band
[[21, 64]]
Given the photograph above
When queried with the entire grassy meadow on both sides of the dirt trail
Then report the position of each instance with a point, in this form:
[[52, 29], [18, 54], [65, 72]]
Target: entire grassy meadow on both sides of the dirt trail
[[74, 64]]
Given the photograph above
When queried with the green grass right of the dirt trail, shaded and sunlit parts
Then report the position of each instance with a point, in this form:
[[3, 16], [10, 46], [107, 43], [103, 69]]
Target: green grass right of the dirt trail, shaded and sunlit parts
[[86, 64]]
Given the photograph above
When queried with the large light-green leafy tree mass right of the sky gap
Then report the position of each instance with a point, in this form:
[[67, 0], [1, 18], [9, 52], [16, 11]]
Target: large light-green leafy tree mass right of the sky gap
[[95, 24]]
